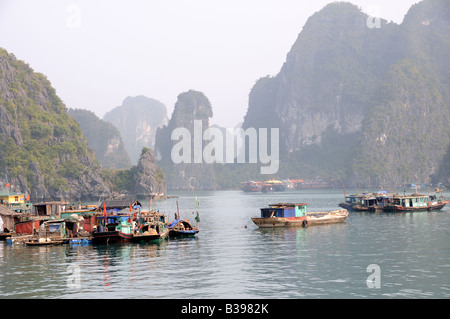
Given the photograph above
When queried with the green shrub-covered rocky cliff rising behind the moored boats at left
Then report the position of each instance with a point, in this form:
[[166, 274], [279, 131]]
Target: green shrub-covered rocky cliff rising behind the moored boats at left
[[43, 152]]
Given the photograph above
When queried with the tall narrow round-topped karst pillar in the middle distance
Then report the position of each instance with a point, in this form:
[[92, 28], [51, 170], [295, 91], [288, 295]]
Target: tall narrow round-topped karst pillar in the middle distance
[[191, 106]]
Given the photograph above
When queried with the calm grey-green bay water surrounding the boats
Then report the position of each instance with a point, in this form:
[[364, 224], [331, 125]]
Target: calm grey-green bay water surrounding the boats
[[232, 258]]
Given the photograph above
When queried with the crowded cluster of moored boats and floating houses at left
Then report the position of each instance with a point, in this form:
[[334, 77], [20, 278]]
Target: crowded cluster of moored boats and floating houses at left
[[59, 222]]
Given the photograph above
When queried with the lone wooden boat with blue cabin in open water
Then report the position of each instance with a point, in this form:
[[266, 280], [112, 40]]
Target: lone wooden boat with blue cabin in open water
[[295, 215]]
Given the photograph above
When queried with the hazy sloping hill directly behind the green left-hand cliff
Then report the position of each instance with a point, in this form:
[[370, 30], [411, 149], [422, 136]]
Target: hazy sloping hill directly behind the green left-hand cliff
[[104, 138]]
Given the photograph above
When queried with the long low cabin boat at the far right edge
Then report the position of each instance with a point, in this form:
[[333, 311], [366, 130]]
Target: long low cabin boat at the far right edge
[[415, 203]]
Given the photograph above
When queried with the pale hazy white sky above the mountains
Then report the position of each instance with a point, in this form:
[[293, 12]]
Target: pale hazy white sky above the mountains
[[96, 53]]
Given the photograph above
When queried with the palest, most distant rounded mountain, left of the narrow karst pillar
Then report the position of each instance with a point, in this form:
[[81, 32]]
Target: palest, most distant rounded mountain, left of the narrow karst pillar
[[137, 119]]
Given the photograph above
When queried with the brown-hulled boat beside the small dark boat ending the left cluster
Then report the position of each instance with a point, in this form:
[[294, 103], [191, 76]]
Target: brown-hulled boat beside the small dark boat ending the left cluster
[[150, 227]]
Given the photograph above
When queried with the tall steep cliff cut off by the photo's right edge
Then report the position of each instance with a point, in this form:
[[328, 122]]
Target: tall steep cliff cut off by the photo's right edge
[[406, 132]]
